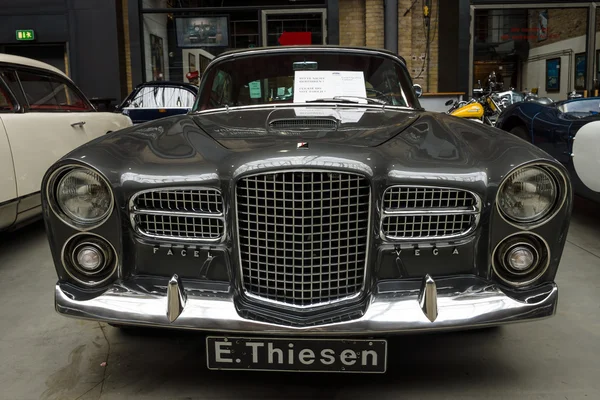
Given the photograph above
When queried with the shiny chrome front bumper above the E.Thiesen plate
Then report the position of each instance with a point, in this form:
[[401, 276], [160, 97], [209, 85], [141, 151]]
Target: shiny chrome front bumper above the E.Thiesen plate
[[443, 304]]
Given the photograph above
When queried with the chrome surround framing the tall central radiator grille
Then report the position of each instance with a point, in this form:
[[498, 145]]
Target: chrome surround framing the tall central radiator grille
[[316, 306]]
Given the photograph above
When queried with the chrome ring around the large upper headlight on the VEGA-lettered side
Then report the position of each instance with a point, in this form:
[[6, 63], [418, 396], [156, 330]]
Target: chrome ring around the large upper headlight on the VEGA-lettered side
[[560, 182]]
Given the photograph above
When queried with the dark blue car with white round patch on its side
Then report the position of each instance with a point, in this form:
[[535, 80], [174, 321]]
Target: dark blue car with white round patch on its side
[[567, 130]]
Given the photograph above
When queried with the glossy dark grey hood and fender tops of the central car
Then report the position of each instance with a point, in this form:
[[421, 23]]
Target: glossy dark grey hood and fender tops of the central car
[[419, 147]]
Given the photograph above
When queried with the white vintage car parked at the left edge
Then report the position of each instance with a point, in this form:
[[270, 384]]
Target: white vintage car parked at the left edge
[[43, 116]]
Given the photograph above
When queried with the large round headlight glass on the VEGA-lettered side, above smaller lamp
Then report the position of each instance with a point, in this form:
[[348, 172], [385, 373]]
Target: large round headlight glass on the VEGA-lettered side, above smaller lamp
[[527, 195]]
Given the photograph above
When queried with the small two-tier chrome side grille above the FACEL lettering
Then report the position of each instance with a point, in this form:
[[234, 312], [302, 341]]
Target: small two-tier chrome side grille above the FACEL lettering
[[185, 214]]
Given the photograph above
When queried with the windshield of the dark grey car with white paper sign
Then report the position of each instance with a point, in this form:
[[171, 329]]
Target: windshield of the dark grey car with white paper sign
[[306, 77]]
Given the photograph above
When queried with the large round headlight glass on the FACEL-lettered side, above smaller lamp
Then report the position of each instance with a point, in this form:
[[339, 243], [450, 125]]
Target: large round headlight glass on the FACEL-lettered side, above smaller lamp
[[84, 196]]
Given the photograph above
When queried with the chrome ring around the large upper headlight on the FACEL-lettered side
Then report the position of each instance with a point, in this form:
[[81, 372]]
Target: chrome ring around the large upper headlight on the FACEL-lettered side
[[50, 195]]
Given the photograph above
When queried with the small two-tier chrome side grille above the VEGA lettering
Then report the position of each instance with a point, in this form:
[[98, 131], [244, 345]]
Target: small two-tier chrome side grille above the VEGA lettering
[[428, 212]]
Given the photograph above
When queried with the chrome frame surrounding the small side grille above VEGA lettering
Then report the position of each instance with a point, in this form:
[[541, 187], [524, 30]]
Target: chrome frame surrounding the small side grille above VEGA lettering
[[475, 211]]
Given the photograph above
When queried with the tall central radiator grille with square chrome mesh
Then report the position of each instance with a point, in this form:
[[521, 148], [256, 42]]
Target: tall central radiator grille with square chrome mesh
[[303, 235]]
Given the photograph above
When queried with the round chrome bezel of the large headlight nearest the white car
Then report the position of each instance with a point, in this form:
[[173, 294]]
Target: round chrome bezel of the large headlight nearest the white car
[[51, 194]]
